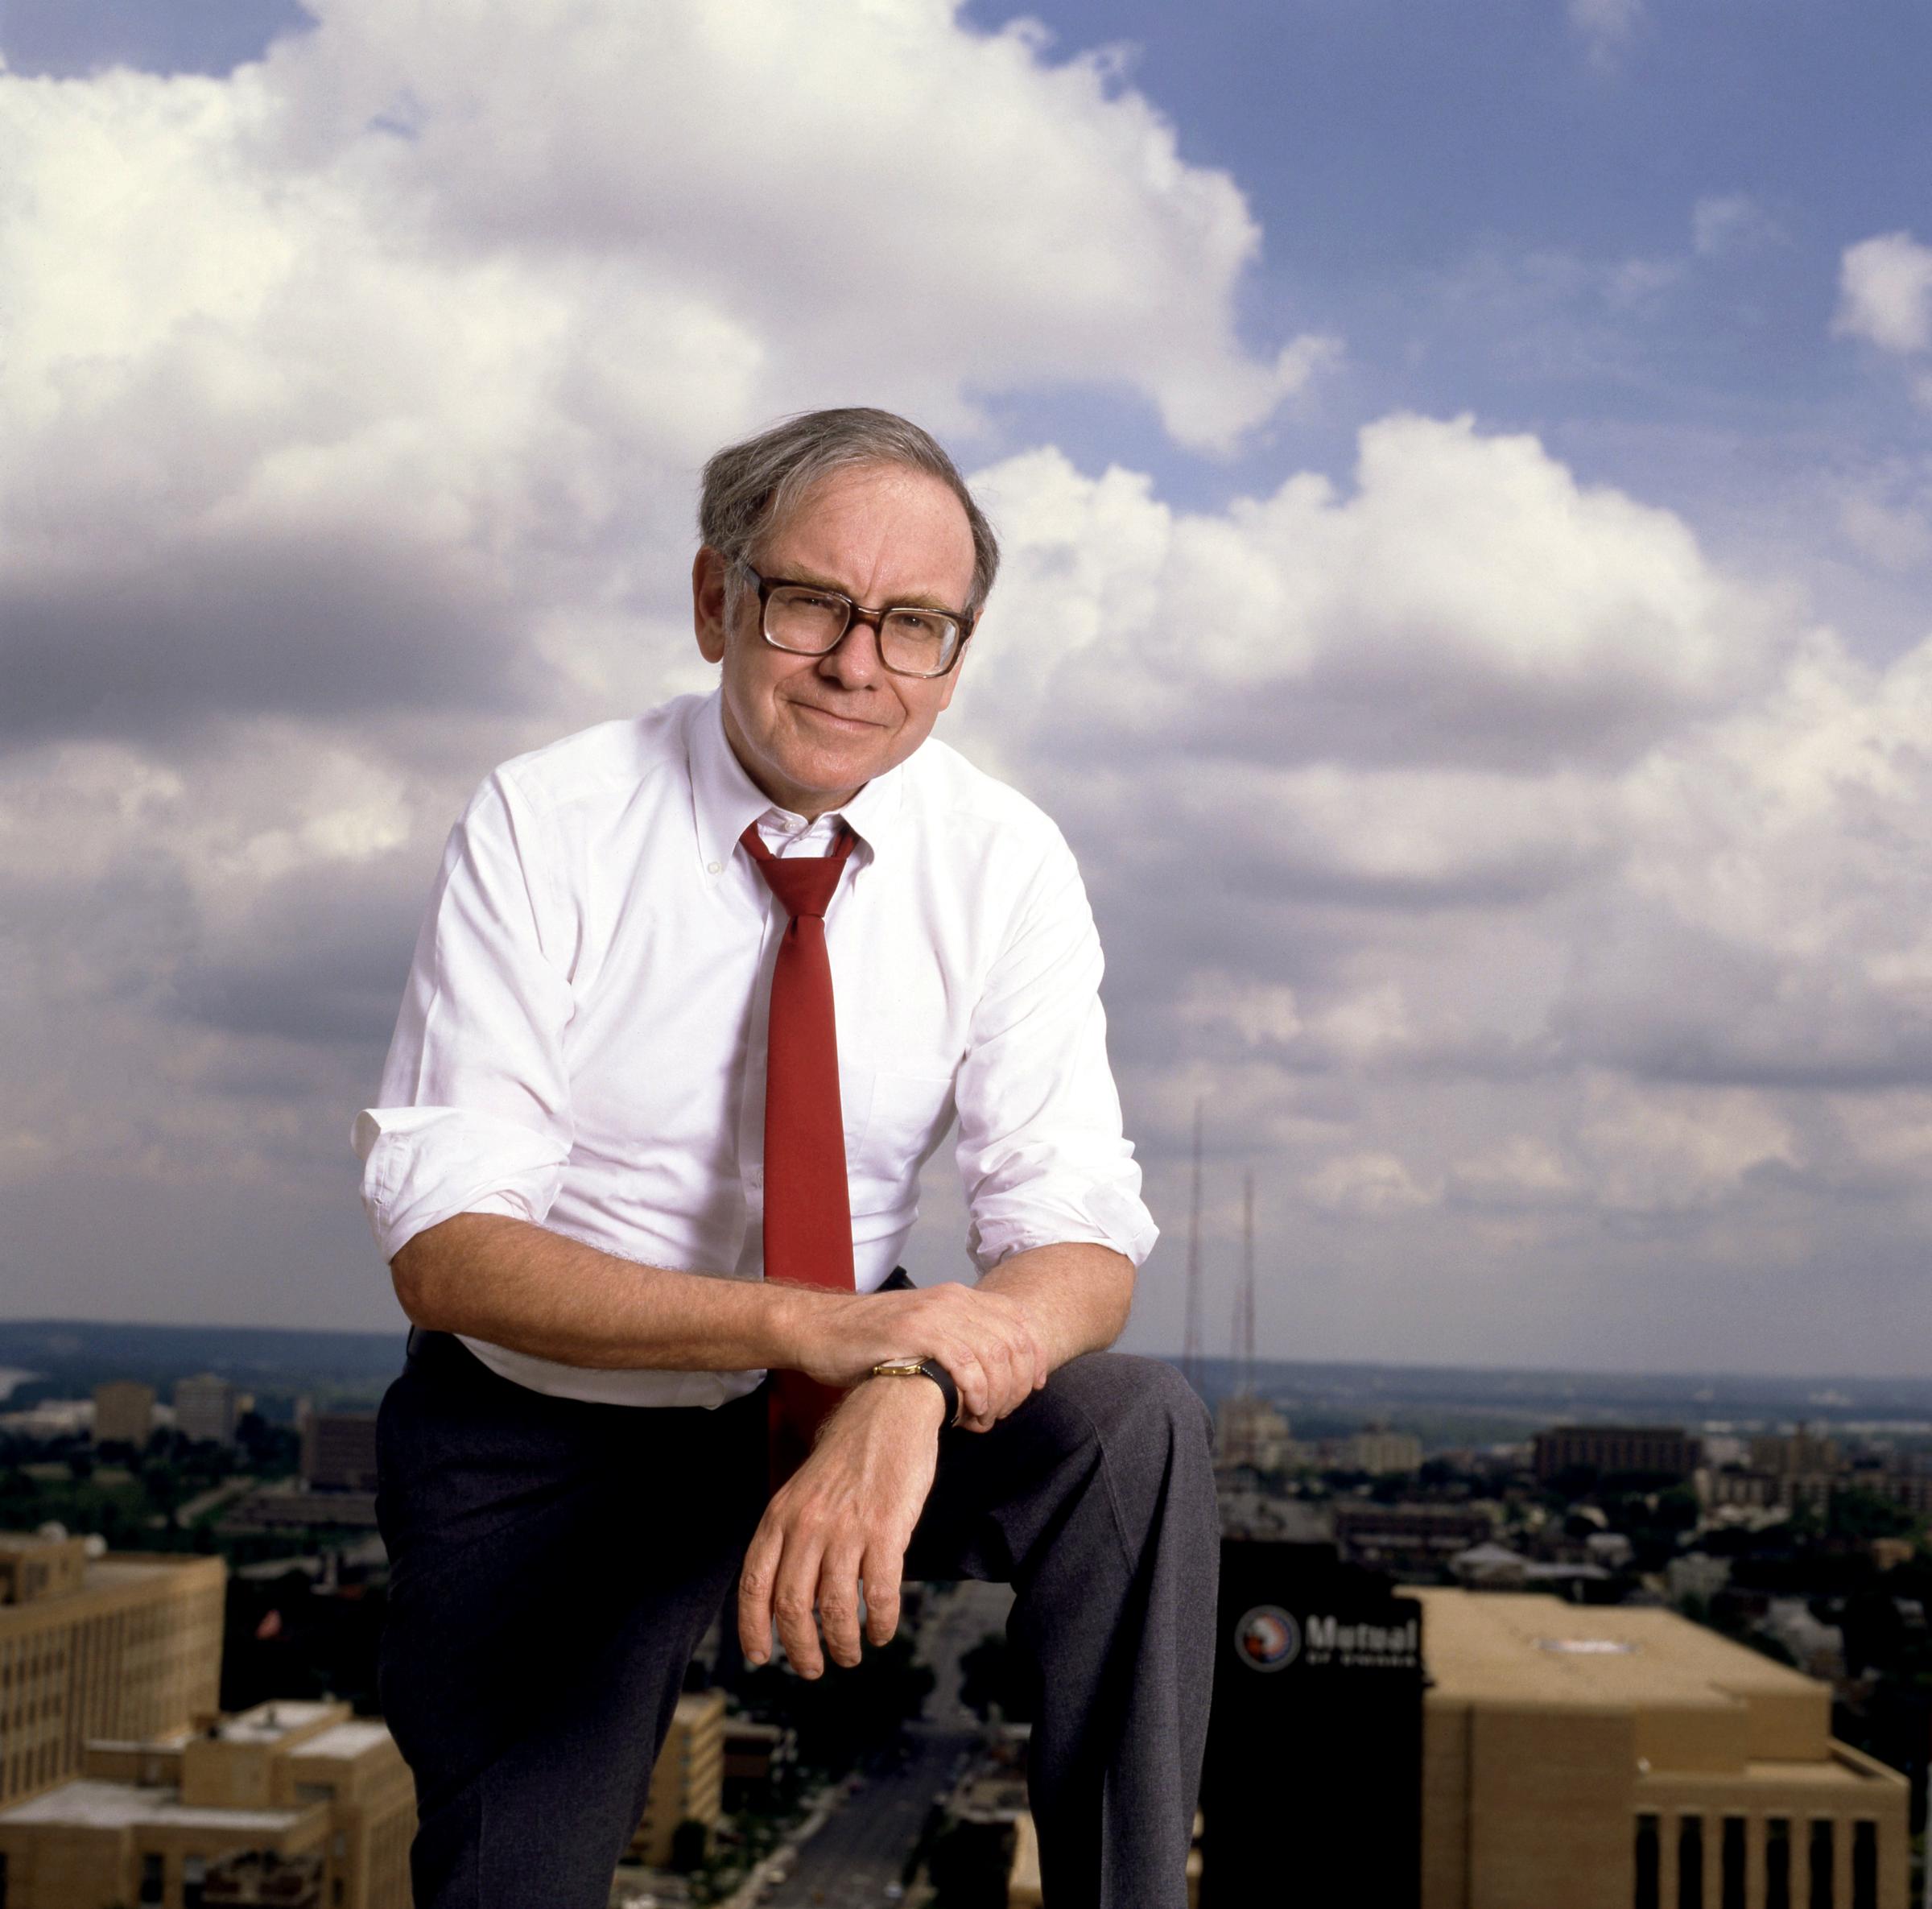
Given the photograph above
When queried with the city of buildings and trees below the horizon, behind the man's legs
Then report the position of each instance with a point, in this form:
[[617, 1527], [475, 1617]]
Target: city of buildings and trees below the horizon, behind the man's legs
[[1489, 1639]]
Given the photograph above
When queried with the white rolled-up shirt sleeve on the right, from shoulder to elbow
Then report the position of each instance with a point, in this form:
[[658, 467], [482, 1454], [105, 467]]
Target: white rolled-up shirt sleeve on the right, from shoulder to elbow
[[1042, 1154]]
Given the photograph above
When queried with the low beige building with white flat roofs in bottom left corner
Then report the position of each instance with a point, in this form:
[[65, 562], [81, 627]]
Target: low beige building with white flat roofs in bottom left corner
[[293, 1804]]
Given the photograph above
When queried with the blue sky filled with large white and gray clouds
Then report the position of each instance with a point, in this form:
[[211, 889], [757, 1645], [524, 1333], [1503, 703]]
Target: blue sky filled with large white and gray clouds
[[1467, 494]]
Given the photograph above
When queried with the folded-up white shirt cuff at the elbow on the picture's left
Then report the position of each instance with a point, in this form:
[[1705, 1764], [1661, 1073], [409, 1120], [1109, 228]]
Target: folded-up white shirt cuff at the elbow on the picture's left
[[428, 1164]]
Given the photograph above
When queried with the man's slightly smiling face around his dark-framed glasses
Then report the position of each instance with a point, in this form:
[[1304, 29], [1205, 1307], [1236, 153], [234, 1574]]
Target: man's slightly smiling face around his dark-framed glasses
[[812, 731]]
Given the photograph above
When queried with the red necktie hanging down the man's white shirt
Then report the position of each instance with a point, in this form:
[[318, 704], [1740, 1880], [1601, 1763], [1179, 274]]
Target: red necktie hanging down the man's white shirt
[[809, 1212]]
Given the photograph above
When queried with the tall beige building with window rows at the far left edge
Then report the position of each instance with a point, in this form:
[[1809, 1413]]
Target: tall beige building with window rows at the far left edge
[[99, 1647]]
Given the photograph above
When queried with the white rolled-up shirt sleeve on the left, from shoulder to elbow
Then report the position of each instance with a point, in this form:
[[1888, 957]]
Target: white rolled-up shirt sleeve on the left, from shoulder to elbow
[[476, 1095]]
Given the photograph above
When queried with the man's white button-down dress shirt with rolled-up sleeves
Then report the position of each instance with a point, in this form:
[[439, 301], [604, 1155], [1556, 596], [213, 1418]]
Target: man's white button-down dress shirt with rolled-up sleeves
[[582, 1040]]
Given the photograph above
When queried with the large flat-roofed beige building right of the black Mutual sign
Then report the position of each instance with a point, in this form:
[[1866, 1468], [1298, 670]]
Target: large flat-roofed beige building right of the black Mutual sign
[[1628, 1759]]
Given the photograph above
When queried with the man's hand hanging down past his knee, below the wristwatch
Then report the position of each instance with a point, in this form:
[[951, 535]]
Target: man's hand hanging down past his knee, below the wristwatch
[[843, 1522]]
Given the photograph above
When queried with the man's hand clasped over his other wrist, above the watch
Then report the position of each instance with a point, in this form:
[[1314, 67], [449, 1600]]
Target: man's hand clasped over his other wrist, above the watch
[[986, 1340]]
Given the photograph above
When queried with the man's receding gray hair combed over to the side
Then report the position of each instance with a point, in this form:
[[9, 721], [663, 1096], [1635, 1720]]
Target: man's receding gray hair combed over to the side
[[756, 486]]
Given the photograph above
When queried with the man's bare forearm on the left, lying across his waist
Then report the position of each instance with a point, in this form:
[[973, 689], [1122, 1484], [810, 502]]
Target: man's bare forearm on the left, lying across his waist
[[534, 1292]]
